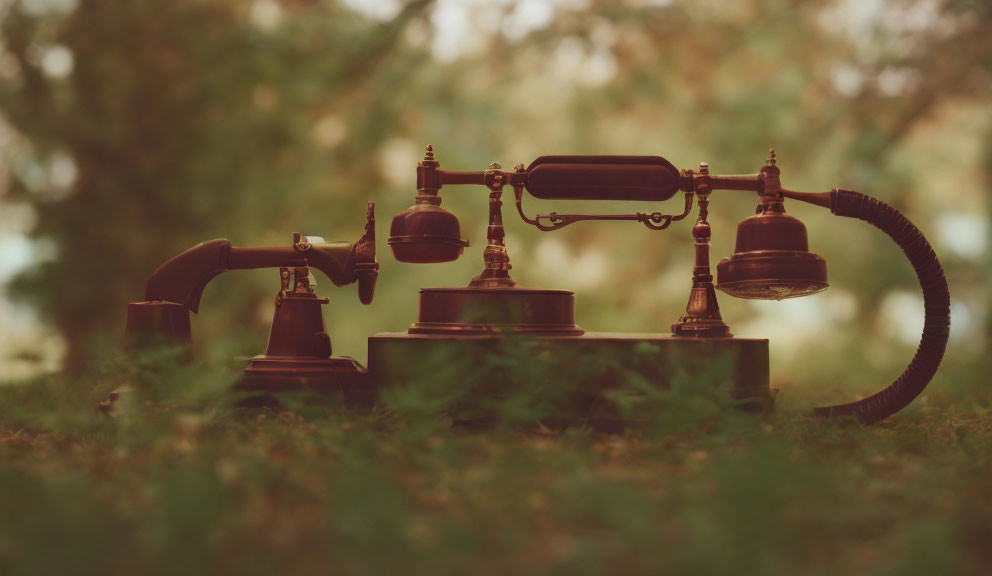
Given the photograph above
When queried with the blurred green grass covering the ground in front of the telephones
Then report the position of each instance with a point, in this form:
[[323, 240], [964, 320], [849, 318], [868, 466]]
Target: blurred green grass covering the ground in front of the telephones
[[180, 482]]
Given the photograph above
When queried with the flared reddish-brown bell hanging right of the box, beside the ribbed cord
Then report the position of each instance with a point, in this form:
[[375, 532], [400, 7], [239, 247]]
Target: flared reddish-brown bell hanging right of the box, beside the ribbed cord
[[771, 260]]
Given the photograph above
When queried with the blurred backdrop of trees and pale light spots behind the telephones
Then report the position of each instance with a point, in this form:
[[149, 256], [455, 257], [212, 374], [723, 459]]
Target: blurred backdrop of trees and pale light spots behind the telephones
[[130, 131]]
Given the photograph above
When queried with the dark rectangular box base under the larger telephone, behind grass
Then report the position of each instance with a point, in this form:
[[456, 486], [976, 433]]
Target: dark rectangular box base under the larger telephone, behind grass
[[578, 373]]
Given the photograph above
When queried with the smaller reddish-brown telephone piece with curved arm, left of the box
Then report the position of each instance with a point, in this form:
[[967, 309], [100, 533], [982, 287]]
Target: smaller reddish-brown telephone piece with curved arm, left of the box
[[299, 349]]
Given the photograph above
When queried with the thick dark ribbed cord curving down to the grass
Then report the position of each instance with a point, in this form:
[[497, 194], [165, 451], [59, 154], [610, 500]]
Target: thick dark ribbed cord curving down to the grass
[[936, 302]]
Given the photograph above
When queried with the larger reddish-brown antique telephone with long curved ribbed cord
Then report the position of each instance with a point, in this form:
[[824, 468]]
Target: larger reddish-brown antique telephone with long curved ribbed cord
[[771, 261]]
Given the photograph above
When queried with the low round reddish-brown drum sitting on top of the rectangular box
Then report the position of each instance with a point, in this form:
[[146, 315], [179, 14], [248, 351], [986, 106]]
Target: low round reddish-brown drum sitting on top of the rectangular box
[[480, 310]]
